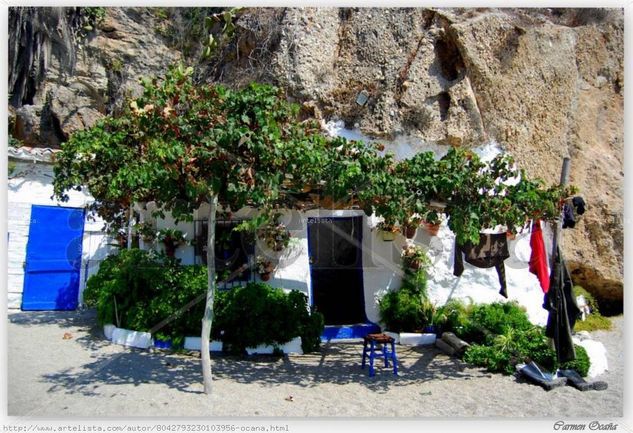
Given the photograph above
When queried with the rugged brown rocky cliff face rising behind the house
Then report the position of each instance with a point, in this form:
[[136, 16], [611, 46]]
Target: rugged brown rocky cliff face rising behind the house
[[542, 83]]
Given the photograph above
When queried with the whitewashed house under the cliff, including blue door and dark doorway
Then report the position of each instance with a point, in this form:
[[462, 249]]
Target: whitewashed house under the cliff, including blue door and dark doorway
[[336, 257]]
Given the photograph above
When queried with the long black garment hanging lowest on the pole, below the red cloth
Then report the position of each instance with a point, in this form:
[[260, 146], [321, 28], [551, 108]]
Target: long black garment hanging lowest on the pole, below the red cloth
[[563, 310]]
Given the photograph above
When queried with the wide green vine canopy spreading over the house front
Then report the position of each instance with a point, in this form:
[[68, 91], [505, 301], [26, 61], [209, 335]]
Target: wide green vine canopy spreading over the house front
[[181, 142]]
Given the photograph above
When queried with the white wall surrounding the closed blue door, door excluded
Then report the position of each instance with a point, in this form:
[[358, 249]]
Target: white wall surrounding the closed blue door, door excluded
[[31, 183]]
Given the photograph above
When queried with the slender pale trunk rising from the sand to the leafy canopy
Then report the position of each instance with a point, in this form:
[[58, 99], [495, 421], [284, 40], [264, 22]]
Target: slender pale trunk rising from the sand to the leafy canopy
[[207, 320]]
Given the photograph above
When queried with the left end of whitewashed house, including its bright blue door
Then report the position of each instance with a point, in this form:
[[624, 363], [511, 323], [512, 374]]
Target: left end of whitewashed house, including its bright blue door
[[53, 247]]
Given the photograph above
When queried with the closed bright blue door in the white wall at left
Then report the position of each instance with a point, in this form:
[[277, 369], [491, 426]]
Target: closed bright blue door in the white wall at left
[[53, 258]]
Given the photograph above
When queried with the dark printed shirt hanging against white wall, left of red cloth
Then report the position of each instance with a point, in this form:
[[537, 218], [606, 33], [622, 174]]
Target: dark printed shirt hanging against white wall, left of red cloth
[[491, 251]]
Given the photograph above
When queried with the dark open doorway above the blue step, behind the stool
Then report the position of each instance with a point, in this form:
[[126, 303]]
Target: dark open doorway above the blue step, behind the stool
[[336, 269]]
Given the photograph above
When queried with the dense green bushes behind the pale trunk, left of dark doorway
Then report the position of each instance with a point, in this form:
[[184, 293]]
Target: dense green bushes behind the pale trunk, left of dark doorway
[[139, 290]]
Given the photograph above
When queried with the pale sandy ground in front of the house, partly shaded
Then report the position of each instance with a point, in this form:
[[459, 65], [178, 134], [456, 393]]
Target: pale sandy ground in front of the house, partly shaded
[[86, 375]]
